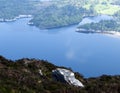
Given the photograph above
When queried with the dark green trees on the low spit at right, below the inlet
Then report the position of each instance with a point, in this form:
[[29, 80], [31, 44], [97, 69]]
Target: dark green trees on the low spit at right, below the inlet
[[103, 25]]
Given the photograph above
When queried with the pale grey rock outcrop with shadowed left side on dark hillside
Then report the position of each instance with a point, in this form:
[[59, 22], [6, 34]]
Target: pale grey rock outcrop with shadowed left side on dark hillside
[[66, 76]]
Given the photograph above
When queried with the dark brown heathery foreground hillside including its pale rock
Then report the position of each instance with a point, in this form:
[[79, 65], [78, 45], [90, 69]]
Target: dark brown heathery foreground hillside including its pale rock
[[39, 76]]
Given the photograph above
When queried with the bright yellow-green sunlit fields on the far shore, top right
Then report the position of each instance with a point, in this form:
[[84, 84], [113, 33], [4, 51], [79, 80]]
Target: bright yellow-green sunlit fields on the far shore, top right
[[102, 6]]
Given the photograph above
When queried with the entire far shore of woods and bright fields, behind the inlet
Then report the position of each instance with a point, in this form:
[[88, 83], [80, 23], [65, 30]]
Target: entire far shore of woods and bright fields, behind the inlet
[[58, 13]]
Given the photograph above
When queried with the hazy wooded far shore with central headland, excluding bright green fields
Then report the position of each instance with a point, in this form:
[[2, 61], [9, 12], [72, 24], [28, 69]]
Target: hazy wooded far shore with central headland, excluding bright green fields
[[45, 14]]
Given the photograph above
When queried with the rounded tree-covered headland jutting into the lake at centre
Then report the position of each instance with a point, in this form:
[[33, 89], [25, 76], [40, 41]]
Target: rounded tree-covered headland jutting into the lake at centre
[[58, 17]]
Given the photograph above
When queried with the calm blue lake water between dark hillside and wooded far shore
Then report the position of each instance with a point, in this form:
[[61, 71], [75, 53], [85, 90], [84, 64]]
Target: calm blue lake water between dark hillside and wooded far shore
[[89, 54]]
